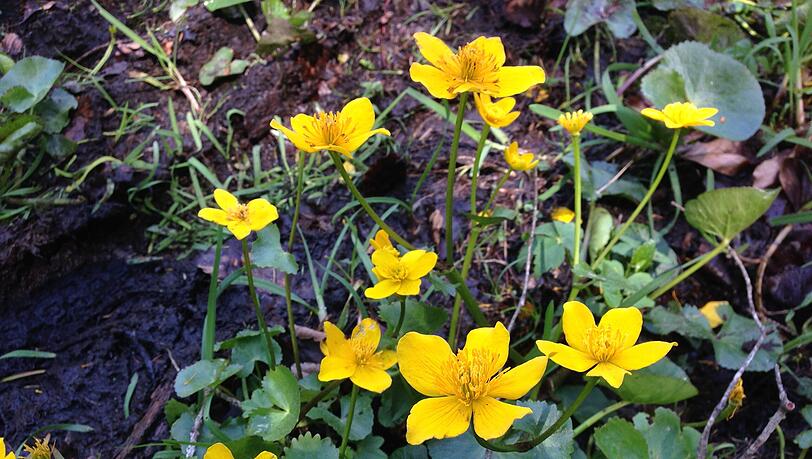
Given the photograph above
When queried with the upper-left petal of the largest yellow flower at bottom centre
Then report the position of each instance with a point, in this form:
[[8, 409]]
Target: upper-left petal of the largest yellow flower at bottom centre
[[421, 359]]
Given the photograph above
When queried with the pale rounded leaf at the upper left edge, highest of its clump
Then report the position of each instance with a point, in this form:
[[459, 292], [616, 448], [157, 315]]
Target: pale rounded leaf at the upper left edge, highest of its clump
[[28, 82]]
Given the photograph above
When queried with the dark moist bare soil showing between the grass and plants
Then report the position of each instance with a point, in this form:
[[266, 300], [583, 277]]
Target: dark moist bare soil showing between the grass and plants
[[78, 280]]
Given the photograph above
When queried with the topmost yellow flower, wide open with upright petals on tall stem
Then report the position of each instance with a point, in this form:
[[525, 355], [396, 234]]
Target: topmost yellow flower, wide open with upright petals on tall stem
[[478, 66]]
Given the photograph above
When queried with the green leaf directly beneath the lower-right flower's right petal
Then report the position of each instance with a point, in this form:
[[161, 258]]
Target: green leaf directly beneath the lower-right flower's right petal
[[660, 384]]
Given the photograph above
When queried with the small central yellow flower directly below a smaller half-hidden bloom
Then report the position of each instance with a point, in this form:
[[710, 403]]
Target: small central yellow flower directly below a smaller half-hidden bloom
[[399, 275]]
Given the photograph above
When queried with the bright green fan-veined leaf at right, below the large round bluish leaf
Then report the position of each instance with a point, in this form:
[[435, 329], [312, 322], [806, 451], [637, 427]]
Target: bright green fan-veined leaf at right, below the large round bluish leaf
[[728, 211]]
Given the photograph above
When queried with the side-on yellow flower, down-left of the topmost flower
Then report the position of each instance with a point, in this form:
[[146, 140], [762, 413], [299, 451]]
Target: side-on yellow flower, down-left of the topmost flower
[[342, 132]]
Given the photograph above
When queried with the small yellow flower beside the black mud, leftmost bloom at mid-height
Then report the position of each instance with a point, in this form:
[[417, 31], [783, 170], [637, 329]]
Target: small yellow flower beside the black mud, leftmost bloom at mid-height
[[239, 218]]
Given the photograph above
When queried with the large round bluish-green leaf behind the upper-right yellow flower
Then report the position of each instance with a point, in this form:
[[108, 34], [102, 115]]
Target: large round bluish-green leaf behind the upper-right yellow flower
[[691, 71]]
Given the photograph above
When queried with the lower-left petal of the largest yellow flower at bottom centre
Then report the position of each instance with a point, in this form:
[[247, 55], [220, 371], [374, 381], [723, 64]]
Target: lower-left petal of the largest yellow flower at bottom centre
[[443, 417]]
